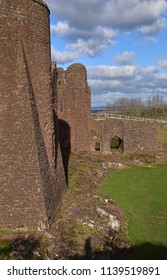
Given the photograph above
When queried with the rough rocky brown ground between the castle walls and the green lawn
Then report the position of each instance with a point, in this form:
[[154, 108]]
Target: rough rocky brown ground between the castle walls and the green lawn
[[87, 225]]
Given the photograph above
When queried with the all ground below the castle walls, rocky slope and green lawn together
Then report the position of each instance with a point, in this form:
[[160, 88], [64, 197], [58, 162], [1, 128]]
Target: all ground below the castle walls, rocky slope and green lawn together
[[79, 232]]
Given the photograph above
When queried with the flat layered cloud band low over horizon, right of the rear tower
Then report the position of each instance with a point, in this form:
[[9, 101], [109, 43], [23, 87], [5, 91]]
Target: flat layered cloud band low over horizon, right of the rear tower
[[112, 82]]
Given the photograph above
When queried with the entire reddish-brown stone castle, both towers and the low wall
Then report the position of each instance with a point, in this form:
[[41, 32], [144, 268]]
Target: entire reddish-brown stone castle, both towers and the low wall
[[44, 116]]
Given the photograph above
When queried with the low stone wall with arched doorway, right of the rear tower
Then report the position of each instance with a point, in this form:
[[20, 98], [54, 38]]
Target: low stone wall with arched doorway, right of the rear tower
[[136, 136]]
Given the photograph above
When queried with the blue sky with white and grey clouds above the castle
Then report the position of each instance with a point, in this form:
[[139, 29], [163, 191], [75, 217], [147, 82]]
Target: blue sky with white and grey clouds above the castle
[[122, 43]]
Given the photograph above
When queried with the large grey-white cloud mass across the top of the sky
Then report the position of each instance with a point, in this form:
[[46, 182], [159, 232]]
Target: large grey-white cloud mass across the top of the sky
[[92, 25]]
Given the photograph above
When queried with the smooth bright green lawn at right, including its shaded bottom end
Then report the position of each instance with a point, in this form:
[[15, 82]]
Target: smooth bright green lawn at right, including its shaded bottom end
[[142, 194]]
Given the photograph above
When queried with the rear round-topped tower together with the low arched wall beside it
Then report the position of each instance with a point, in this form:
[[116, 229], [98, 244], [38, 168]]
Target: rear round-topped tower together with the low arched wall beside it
[[81, 132]]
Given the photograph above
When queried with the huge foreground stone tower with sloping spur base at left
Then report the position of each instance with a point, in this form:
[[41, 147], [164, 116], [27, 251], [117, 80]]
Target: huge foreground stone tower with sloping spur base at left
[[32, 175]]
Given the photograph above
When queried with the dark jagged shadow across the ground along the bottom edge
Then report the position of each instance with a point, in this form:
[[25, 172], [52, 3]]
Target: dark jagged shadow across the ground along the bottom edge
[[22, 248]]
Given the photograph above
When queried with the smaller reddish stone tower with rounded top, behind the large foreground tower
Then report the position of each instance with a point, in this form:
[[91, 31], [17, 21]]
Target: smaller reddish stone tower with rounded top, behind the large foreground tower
[[73, 106]]
